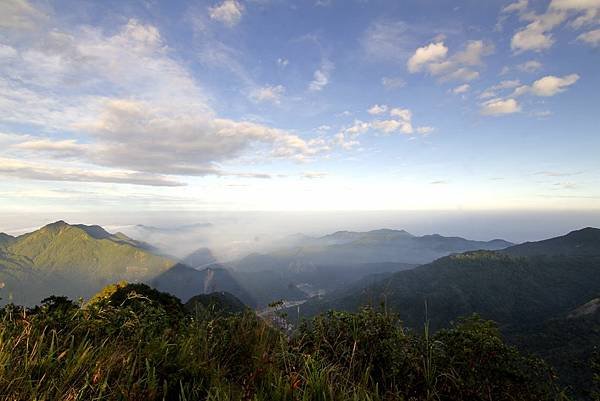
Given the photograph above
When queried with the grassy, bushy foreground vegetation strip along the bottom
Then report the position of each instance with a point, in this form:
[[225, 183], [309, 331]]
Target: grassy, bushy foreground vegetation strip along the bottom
[[131, 342]]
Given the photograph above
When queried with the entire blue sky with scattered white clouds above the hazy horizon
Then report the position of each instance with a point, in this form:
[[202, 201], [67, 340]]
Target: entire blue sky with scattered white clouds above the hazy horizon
[[299, 105]]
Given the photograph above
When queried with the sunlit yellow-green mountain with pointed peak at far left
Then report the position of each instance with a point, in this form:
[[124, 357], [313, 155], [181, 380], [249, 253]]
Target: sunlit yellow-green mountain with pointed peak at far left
[[72, 260]]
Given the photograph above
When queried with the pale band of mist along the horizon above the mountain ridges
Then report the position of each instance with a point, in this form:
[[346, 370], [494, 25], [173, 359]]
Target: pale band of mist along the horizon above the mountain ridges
[[231, 235]]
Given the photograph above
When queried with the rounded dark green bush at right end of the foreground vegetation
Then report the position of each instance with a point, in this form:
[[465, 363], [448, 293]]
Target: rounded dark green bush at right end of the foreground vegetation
[[479, 366]]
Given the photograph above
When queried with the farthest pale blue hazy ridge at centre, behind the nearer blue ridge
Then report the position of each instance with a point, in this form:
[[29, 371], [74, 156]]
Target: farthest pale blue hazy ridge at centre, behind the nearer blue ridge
[[378, 246]]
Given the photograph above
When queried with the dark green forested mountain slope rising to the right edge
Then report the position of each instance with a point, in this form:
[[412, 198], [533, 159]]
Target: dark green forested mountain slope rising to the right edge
[[543, 294]]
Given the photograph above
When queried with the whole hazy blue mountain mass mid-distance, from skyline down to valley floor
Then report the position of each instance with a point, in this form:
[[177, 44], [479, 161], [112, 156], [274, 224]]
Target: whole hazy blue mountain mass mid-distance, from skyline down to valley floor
[[318, 265]]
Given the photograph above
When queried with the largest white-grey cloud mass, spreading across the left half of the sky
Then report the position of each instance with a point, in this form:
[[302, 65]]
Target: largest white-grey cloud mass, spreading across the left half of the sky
[[153, 120]]
